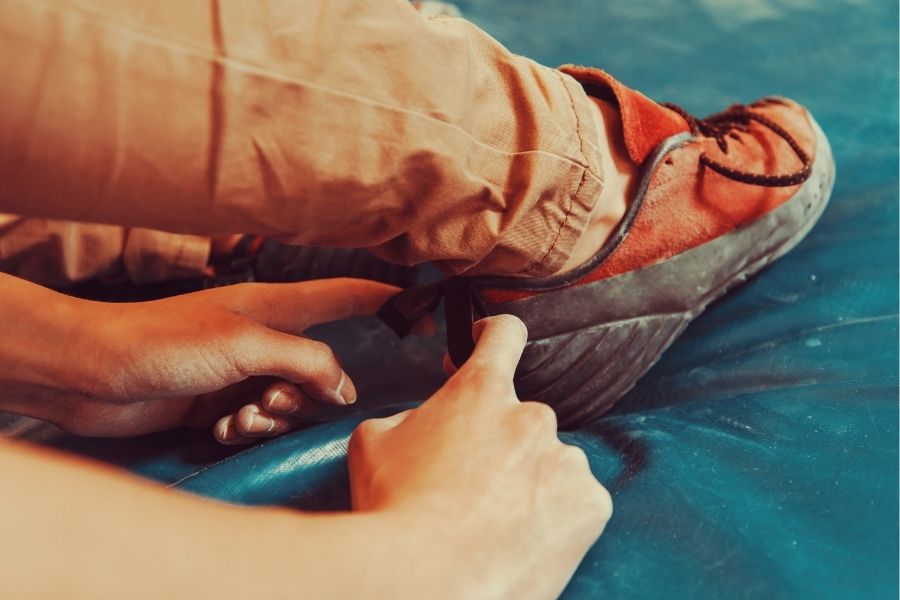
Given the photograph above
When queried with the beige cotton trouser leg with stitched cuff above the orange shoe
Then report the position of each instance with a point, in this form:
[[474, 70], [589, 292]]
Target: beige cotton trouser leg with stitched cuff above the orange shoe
[[324, 122]]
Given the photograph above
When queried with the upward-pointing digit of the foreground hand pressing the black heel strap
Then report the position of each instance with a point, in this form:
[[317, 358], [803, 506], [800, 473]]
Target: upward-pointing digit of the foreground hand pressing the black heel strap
[[499, 342]]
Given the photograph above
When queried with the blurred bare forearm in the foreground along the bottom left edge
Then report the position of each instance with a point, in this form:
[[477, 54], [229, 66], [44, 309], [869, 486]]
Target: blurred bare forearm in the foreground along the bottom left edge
[[76, 529]]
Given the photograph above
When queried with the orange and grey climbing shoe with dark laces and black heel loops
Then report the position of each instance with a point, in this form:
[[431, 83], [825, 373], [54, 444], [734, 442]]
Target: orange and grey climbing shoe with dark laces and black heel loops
[[717, 200]]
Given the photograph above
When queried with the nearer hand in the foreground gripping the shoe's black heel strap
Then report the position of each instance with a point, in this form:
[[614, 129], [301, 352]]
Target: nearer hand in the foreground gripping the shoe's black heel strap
[[484, 478]]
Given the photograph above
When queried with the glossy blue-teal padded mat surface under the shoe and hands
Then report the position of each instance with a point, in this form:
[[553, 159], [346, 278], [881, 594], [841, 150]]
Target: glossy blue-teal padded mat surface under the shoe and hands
[[758, 459]]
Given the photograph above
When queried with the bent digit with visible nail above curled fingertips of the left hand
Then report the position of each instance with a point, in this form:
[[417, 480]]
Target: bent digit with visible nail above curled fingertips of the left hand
[[308, 363]]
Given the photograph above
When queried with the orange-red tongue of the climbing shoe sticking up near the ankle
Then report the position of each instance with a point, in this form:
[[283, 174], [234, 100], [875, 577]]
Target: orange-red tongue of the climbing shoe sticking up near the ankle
[[645, 124]]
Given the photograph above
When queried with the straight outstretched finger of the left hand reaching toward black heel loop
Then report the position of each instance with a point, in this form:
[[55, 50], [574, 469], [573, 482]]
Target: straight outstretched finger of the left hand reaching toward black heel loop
[[293, 307]]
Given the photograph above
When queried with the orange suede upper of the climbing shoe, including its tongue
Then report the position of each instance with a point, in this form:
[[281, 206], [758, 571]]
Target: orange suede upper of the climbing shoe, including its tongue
[[687, 203]]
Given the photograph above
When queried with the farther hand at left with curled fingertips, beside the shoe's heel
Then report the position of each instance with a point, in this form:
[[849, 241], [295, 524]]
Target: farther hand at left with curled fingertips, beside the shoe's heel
[[188, 360]]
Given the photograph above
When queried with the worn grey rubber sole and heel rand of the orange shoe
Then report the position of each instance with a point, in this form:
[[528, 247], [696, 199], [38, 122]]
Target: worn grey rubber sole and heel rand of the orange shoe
[[588, 345]]
